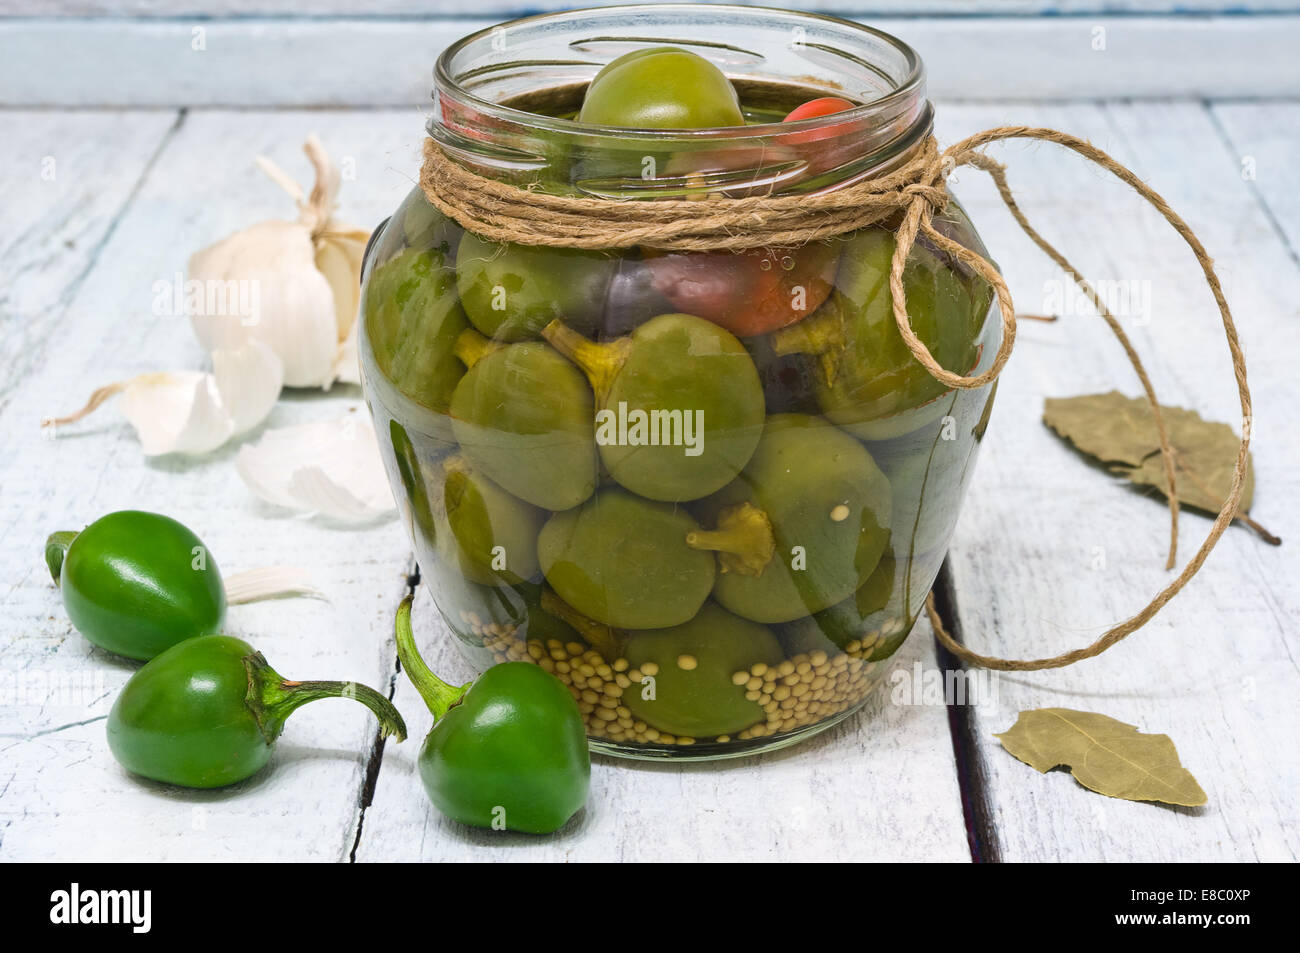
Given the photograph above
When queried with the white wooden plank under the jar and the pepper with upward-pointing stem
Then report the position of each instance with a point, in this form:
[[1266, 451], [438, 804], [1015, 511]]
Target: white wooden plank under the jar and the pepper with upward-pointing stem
[[878, 787]]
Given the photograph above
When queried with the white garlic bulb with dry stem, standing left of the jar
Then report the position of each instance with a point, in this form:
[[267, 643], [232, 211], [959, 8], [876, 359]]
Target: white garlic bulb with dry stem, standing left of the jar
[[294, 287]]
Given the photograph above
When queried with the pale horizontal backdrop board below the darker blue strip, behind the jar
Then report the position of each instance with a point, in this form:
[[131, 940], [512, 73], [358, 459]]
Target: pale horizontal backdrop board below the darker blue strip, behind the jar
[[268, 62]]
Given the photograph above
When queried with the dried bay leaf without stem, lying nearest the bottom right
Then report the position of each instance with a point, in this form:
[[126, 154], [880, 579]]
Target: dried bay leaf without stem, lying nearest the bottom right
[[1103, 755]]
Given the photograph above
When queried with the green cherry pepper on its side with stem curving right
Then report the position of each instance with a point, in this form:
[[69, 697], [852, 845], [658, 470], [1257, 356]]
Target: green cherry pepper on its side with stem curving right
[[207, 713]]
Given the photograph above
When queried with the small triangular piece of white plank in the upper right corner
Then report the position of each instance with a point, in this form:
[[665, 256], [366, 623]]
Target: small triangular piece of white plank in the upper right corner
[[1264, 138]]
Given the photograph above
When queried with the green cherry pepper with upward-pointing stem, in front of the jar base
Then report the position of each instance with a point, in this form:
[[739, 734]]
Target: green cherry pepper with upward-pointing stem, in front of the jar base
[[508, 752]]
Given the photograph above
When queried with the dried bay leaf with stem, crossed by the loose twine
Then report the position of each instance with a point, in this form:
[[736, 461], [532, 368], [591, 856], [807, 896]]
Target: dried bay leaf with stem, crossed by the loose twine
[[1121, 432]]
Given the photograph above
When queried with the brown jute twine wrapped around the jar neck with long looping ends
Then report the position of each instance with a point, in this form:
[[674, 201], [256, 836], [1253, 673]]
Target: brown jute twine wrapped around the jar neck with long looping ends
[[917, 189]]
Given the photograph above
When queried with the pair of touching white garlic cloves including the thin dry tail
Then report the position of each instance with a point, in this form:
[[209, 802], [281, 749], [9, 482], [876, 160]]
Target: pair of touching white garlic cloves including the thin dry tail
[[190, 411]]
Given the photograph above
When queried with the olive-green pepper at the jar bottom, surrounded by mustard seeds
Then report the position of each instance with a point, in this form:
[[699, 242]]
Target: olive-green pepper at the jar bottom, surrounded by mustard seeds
[[692, 690]]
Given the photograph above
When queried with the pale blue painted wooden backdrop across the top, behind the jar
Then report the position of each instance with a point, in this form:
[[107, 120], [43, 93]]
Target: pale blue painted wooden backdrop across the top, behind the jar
[[348, 53]]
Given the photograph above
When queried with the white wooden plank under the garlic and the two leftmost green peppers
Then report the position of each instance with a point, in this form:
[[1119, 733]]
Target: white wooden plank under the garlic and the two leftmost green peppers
[[62, 795]]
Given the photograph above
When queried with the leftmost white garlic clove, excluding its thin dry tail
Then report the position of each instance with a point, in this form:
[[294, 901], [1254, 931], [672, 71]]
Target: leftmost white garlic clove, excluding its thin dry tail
[[176, 413]]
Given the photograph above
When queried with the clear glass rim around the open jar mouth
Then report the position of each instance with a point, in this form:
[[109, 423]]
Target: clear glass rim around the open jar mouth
[[911, 85]]
